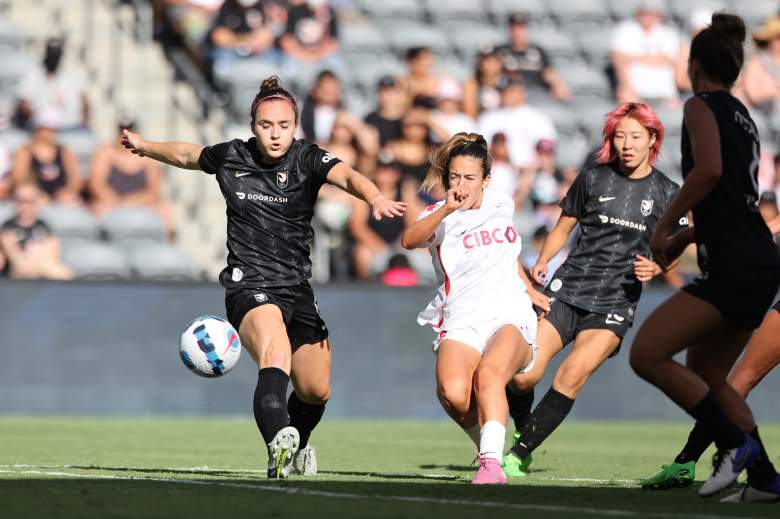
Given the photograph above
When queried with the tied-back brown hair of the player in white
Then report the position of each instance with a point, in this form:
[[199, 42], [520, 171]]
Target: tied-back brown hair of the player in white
[[468, 144]]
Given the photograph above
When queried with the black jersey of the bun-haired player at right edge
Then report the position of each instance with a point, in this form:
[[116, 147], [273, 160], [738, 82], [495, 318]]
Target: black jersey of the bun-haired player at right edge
[[730, 233]]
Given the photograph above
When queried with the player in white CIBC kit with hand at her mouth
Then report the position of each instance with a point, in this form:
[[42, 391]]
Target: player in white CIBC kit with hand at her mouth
[[483, 309]]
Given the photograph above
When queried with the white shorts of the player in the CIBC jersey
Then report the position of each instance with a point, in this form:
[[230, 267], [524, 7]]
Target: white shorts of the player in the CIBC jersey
[[478, 333]]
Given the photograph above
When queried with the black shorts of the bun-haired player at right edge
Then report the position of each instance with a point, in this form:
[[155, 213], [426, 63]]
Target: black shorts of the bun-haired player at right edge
[[742, 297]]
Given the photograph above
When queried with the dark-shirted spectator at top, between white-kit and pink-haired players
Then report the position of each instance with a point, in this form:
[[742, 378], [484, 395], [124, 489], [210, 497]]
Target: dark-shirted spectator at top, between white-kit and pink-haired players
[[529, 63]]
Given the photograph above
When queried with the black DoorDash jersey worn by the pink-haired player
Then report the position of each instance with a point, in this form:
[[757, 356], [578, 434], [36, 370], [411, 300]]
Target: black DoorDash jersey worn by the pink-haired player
[[617, 216]]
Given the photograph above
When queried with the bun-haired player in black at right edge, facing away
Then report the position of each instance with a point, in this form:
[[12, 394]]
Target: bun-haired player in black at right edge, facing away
[[713, 317]]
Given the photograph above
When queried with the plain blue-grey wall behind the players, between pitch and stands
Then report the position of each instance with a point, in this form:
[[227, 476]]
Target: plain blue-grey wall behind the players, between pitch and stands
[[95, 349]]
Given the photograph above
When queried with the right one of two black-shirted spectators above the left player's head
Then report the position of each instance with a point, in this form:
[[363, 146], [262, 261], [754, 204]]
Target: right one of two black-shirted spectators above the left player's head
[[311, 36]]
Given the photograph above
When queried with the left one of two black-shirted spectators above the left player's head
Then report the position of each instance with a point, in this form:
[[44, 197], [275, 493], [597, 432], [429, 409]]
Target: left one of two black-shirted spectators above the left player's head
[[240, 31]]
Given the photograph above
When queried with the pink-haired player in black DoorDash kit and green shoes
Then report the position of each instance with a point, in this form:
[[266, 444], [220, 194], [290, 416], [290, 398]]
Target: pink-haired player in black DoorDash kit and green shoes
[[617, 205]]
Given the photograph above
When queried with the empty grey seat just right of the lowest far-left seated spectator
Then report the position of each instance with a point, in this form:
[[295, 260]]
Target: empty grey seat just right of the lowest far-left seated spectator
[[96, 261]]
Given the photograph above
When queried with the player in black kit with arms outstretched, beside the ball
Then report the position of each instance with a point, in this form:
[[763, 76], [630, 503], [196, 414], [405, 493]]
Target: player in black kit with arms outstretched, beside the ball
[[270, 183]]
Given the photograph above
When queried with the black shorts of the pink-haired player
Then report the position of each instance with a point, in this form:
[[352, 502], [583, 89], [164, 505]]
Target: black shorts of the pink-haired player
[[569, 320]]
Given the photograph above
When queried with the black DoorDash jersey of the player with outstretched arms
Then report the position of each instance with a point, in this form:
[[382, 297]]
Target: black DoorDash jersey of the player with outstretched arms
[[269, 210]]
